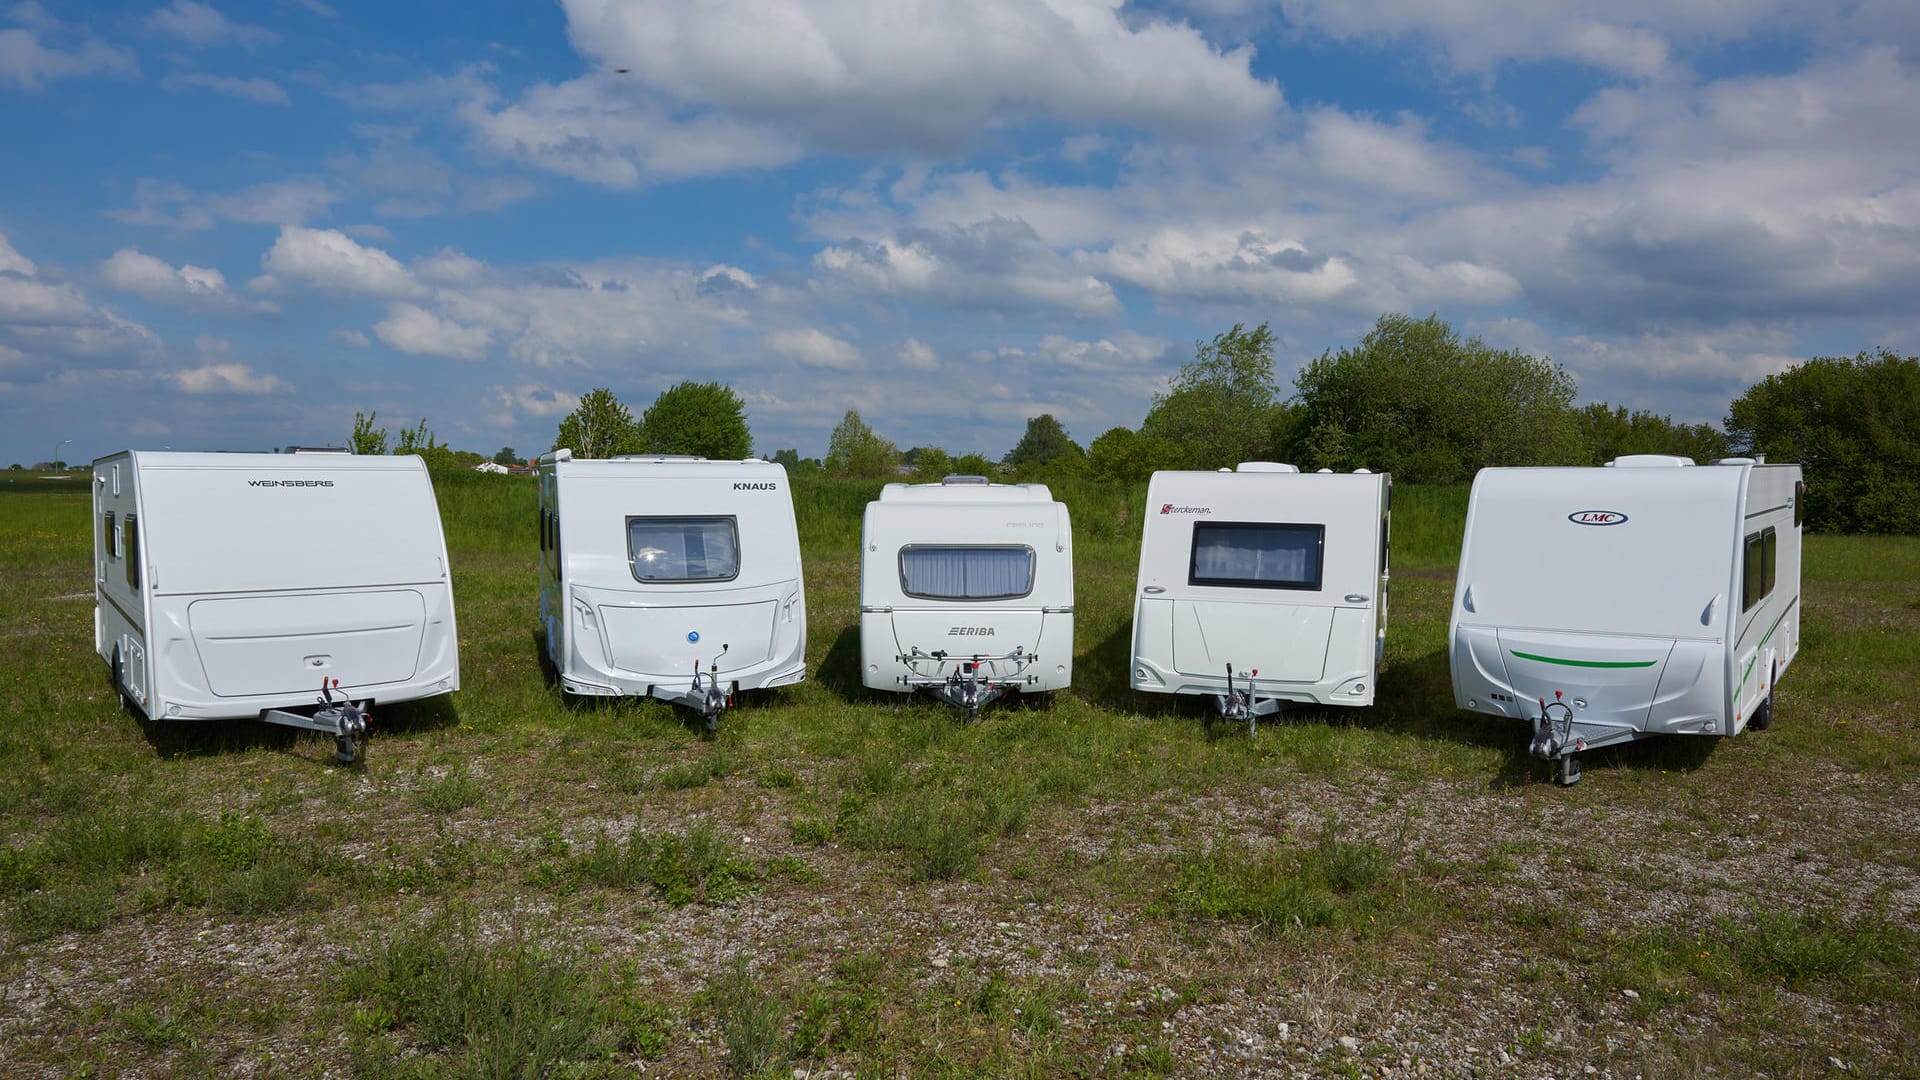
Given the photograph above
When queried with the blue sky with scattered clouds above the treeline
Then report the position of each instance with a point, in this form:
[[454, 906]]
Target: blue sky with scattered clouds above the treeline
[[231, 226]]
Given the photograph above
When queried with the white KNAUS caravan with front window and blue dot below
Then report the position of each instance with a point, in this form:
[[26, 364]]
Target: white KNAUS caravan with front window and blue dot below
[[671, 577]]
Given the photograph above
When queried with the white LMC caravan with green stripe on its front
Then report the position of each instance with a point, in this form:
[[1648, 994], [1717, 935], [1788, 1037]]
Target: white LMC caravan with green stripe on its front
[[1650, 597]]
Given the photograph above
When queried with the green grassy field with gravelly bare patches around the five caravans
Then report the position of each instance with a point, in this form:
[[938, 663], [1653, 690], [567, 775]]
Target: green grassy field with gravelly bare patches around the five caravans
[[1101, 885]]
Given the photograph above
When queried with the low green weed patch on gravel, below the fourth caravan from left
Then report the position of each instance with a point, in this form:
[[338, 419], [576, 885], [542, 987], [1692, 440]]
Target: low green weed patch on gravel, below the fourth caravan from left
[[1237, 883]]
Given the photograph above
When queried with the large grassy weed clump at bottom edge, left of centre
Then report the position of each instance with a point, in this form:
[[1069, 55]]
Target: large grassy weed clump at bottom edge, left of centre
[[483, 1008]]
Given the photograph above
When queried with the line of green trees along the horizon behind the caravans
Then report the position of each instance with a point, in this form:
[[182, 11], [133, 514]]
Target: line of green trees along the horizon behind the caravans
[[1412, 399]]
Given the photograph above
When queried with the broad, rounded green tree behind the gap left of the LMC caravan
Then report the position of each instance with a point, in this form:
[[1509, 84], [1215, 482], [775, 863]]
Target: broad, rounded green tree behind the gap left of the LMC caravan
[[1418, 401]]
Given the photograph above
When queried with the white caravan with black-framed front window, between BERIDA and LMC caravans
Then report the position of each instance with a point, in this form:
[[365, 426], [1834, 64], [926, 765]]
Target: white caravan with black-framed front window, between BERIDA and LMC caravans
[[1262, 585]]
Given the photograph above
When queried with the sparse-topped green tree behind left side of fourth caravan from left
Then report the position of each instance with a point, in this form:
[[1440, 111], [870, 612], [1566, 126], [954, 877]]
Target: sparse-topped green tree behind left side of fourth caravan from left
[[1220, 408]]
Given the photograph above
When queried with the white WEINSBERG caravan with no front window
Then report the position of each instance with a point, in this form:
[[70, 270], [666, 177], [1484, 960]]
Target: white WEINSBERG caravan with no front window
[[251, 585]]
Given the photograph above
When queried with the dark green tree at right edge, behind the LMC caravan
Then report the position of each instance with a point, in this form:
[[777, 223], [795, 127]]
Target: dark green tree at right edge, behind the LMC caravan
[[1854, 424]]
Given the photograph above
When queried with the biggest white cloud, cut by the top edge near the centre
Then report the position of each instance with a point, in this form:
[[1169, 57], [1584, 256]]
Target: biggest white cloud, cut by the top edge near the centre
[[871, 76]]
